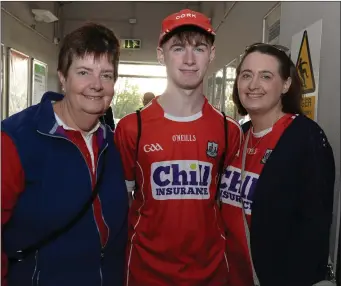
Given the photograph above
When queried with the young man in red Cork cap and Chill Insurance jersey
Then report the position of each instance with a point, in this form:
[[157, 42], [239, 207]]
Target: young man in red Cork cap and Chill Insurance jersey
[[172, 161]]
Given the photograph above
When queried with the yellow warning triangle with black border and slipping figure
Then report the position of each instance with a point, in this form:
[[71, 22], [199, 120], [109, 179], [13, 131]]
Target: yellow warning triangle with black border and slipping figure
[[304, 66]]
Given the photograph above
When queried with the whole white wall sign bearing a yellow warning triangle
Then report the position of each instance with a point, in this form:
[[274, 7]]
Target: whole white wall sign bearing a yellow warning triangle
[[305, 52]]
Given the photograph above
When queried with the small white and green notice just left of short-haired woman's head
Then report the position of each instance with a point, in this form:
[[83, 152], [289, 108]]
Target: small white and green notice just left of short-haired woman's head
[[39, 80]]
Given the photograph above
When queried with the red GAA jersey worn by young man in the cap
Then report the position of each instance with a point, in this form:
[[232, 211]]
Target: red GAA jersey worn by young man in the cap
[[176, 233]]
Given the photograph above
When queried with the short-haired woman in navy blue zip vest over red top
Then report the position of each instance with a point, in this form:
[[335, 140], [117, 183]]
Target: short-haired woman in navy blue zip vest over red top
[[64, 203]]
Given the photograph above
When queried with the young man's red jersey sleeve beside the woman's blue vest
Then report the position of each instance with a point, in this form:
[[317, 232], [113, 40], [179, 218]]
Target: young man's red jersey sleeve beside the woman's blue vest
[[125, 137]]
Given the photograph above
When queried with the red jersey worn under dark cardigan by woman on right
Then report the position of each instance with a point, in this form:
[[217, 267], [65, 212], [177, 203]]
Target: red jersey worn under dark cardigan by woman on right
[[259, 148]]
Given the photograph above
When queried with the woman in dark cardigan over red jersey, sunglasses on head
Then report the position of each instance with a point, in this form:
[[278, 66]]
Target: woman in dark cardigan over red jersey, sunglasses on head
[[278, 193]]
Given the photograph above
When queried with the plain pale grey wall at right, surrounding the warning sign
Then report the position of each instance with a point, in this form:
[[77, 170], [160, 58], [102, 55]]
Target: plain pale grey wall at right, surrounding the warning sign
[[296, 16]]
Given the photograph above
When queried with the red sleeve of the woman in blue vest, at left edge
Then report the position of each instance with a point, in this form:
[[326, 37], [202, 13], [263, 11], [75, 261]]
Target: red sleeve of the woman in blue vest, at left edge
[[12, 184]]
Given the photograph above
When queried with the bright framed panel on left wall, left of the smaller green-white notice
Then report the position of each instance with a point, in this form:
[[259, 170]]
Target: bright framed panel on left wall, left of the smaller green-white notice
[[18, 81]]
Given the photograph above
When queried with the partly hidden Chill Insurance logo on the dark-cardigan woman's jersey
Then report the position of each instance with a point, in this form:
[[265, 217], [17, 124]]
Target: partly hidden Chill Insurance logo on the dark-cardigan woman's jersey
[[231, 192]]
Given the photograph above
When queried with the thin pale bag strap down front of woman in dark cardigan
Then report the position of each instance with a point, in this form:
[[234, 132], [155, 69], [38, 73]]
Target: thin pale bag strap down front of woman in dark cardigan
[[246, 226]]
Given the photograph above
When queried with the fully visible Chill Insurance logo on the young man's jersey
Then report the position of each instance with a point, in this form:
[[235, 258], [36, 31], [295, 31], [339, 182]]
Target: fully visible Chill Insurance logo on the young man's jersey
[[183, 179]]
